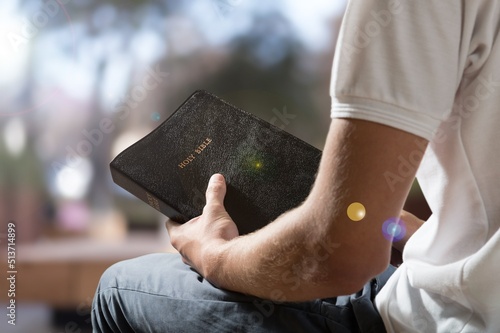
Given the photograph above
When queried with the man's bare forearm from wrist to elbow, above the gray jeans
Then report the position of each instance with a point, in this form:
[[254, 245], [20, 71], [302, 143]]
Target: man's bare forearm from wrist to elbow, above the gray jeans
[[288, 260]]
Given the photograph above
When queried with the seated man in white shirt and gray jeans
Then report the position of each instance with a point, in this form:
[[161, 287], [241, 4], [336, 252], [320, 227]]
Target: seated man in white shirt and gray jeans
[[409, 77]]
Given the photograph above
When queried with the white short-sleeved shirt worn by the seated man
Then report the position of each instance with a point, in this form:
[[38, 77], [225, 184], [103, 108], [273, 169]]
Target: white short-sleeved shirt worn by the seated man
[[432, 68]]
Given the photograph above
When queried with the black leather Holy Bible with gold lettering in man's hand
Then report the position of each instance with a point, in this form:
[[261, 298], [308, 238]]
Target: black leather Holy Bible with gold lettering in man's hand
[[268, 171]]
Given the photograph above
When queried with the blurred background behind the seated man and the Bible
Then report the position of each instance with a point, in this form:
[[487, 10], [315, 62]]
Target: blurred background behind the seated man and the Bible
[[81, 80]]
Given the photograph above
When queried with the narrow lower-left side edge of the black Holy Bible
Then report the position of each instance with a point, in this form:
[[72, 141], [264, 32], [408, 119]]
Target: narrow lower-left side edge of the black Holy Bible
[[140, 192]]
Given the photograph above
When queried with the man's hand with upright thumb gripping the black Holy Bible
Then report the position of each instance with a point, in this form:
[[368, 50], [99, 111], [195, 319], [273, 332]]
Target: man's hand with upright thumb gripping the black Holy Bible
[[197, 239]]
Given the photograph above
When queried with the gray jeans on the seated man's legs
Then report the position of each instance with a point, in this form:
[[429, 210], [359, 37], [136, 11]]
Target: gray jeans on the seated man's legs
[[159, 293]]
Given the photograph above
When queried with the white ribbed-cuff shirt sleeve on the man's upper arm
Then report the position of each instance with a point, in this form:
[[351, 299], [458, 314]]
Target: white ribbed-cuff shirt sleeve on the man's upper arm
[[397, 63]]
